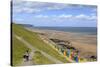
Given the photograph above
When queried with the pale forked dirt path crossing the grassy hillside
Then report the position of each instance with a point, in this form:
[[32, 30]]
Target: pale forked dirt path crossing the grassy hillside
[[32, 53]]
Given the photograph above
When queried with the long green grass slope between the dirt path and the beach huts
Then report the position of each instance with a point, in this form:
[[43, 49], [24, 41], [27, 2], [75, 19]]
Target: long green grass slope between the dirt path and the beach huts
[[36, 42]]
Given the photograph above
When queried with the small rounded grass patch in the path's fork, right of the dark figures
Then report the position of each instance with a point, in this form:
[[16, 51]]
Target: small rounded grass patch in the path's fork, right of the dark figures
[[38, 58]]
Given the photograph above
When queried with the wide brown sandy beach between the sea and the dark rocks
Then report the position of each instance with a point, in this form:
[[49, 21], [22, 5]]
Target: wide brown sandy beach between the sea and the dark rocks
[[86, 44]]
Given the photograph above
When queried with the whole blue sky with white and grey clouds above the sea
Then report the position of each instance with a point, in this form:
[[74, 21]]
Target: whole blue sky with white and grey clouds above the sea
[[54, 14]]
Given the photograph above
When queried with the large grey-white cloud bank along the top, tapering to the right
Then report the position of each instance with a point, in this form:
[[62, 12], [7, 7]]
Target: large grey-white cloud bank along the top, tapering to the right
[[29, 6]]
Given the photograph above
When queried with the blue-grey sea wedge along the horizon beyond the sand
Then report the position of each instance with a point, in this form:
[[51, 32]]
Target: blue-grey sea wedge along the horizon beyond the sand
[[81, 30]]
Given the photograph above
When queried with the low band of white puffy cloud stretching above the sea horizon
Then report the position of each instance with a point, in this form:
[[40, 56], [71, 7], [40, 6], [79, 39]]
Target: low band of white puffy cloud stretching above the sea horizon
[[69, 17]]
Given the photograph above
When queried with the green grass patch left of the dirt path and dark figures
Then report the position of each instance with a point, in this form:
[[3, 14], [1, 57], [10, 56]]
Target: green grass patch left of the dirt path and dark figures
[[18, 50]]
